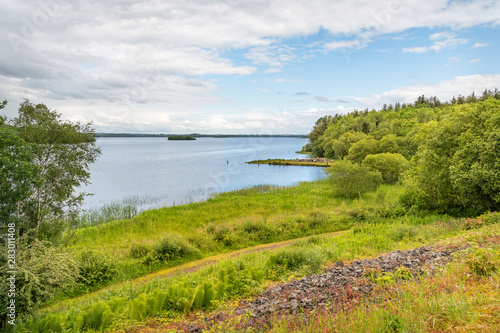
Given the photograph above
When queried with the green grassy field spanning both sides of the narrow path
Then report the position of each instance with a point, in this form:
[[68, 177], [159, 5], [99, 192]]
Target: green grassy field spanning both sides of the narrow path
[[374, 224]]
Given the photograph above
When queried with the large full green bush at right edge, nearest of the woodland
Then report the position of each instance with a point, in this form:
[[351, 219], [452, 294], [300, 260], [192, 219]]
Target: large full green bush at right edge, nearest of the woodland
[[456, 165]]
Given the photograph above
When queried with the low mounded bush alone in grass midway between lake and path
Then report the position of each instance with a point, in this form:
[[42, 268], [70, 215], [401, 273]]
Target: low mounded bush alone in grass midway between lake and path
[[172, 247]]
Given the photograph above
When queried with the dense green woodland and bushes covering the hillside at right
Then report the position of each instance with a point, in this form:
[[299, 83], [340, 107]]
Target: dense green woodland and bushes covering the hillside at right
[[445, 154]]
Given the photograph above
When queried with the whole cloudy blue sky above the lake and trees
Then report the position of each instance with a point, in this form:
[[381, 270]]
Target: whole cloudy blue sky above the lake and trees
[[240, 66]]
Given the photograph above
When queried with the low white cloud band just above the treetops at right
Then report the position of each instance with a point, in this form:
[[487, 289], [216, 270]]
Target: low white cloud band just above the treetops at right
[[445, 90]]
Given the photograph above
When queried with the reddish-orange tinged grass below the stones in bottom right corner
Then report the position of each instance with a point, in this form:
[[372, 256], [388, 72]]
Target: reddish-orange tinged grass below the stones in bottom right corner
[[453, 300]]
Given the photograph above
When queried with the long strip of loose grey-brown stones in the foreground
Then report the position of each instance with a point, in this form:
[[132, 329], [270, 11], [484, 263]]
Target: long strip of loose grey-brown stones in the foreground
[[340, 285]]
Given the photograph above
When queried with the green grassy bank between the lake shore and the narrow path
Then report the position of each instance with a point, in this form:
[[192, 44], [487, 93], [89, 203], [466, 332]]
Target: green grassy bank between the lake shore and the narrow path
[[227, 222]]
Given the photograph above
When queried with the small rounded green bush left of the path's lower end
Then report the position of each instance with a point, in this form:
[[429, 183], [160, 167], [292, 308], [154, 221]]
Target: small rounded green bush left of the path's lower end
[[95, 269]]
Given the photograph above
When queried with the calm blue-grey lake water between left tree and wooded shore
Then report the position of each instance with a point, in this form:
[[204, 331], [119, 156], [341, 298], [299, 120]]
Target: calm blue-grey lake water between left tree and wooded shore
[[166, 172]]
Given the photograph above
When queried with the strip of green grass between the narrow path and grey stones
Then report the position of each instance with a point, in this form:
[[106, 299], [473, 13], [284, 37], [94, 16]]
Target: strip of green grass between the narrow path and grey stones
[[246, 275]]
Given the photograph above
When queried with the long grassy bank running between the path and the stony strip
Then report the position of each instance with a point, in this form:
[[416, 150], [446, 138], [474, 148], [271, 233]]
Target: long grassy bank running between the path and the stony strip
[[165, 302]]
